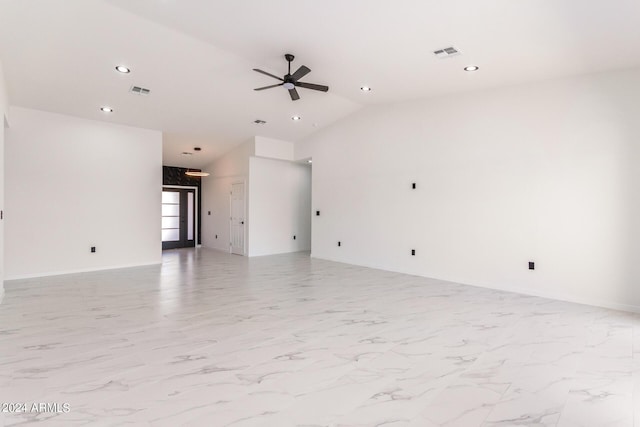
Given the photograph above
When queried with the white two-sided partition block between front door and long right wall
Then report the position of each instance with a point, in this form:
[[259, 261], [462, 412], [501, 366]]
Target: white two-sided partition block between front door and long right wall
[[277, 199]]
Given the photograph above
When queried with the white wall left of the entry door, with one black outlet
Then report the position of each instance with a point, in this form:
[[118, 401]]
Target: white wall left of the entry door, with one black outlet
[[74, 183]]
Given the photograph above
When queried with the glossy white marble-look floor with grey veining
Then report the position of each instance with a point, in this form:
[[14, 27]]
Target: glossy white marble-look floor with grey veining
[[210, 339]]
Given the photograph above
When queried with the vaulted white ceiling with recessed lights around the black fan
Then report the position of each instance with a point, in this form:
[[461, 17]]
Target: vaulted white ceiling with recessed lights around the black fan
[[197, 56]]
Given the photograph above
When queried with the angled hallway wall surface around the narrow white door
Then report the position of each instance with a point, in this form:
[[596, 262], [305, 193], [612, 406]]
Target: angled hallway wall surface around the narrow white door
[[230, 168]]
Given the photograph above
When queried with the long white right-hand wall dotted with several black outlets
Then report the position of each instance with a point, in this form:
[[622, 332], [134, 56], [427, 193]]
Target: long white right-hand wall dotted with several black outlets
[[546, 172]]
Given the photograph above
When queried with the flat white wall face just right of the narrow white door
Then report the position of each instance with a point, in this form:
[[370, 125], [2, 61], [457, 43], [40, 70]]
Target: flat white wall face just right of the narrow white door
[[280, 196]]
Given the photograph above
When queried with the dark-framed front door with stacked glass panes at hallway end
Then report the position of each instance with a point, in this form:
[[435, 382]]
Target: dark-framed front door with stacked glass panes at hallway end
[[179, 207]]
